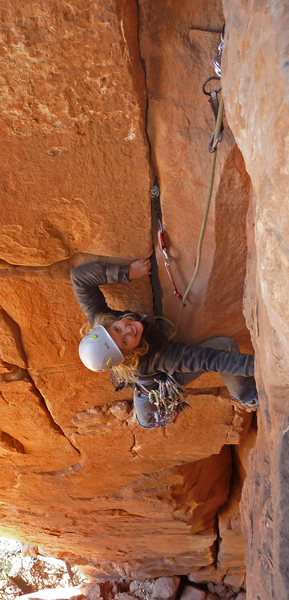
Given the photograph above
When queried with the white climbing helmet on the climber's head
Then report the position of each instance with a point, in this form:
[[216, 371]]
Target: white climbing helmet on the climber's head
[[98, 351]]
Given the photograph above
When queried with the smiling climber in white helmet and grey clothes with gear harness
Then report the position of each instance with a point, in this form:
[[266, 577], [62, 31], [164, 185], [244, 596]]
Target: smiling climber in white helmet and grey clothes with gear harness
[[138, 354]]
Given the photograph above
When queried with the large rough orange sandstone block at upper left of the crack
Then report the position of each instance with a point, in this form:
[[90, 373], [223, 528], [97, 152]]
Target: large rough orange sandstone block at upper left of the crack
[[76, 133]]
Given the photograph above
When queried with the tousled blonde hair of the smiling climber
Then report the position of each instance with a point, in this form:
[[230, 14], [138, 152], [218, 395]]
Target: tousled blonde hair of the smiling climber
[[127, 370]]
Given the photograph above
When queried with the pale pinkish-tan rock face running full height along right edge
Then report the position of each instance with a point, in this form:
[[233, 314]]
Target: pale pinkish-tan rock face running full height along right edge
[[256, 88]]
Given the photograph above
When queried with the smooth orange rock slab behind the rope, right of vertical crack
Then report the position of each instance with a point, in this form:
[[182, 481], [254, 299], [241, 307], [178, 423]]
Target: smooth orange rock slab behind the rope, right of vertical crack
[[180, 126]]
